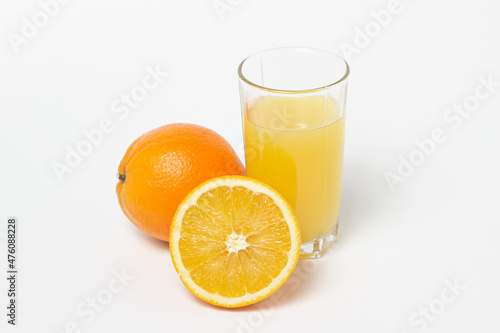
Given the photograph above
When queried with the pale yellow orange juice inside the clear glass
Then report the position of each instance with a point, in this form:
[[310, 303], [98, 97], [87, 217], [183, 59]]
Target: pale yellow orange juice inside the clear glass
[[295, 144]]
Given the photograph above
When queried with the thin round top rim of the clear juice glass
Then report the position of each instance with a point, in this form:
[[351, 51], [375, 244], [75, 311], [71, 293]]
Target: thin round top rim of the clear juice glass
[[285, 91]]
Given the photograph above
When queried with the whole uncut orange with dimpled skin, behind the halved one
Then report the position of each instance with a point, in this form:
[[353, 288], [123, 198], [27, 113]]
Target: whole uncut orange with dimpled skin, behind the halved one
[[162, 166]]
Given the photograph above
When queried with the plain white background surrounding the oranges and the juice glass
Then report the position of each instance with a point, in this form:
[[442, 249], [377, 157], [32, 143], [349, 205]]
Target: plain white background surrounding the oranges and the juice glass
[[396, 248]]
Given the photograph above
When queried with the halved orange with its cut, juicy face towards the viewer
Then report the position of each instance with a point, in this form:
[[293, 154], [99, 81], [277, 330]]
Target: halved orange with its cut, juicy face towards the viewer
[[234, 241]]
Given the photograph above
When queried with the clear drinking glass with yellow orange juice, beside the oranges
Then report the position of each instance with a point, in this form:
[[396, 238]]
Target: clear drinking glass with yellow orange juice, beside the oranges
[[293, 111]]
